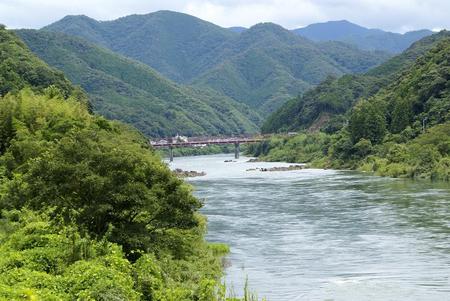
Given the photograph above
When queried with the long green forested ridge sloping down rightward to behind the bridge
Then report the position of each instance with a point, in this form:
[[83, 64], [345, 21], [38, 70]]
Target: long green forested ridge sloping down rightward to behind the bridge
[[126, 90]]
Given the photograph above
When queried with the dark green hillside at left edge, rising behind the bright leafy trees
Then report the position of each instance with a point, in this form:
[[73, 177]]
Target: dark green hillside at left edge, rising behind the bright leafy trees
[[22, 74]]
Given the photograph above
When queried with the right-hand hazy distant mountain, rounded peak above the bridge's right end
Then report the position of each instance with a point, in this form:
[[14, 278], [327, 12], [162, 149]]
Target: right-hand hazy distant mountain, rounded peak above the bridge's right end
[[267, 64]]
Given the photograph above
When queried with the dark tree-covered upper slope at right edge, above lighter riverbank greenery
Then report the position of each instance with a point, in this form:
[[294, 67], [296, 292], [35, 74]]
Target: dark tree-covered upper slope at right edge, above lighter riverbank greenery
[[419, 96]]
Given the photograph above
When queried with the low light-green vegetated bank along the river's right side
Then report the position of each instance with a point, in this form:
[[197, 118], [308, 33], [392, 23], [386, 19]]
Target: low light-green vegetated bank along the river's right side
[[427, 156]]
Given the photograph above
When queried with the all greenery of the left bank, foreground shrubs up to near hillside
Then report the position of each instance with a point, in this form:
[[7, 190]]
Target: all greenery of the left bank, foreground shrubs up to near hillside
[[88, 211]]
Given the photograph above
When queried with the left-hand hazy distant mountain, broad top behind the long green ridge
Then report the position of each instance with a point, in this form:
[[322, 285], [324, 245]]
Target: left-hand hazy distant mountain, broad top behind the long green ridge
[[179, 46]]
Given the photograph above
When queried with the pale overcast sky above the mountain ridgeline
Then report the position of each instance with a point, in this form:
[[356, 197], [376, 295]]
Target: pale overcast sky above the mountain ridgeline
[[392, 15]]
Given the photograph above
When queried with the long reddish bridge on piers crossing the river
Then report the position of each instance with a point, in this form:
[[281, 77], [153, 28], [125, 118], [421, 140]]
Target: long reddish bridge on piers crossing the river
[[203, 141]]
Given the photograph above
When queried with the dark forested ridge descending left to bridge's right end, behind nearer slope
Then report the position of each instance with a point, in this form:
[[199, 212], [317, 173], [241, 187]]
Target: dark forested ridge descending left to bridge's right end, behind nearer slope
[[323, 106]]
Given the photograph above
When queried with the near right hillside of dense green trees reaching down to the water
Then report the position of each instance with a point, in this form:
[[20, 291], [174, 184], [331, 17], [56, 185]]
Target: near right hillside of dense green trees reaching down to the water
[[403, 130]]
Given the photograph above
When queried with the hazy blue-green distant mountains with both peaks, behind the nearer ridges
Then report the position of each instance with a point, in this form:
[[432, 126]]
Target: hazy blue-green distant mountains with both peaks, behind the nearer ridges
[[261, 67]]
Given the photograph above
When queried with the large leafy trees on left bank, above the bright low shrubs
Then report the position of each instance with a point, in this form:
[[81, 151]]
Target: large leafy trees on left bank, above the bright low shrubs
[[97, 173]]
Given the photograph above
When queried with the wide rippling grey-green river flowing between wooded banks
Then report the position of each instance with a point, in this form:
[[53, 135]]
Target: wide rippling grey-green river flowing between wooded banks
[[326, 235]]
